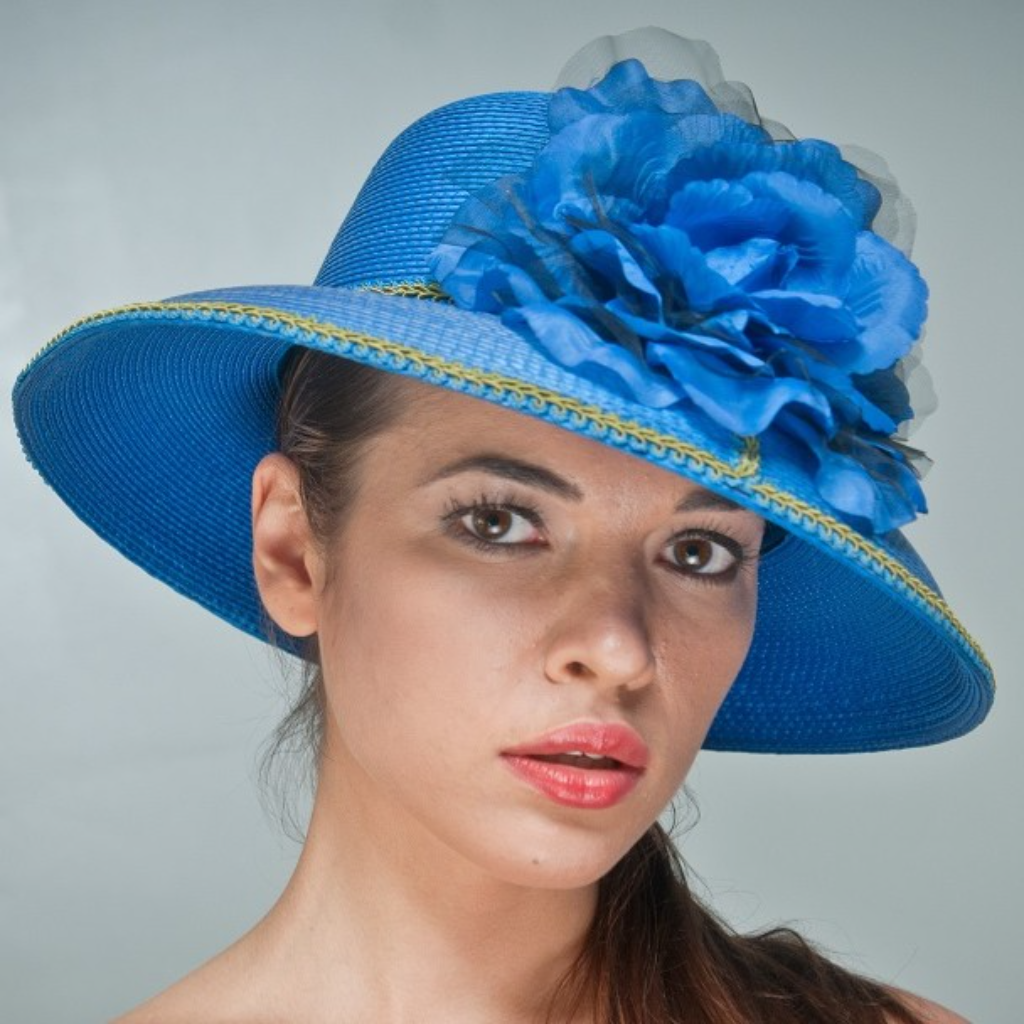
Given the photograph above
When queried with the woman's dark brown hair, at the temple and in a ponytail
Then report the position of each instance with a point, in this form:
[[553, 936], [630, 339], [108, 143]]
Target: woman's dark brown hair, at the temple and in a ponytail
[[654, 953]]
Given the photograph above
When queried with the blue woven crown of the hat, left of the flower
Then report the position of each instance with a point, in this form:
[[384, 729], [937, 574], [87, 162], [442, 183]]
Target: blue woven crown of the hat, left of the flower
[[423, 178]]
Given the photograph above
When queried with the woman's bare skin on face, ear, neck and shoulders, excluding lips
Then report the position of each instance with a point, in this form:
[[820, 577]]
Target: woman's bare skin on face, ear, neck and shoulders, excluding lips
[[435, 885]]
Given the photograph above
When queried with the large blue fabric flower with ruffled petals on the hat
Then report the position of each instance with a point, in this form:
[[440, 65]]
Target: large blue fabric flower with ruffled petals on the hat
[[676, 254]]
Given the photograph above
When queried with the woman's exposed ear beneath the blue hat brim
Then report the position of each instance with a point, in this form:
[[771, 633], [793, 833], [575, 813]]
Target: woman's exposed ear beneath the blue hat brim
[[286, 562]]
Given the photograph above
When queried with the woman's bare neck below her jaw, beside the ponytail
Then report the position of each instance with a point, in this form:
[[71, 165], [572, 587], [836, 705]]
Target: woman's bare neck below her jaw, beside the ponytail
[[382, 921]]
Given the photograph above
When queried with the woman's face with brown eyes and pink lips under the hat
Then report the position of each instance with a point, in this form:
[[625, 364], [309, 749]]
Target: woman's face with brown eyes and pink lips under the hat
[[509, 606]]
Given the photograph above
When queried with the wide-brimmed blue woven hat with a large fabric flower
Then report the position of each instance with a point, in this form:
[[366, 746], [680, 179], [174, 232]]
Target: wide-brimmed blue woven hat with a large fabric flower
[[644, 263]]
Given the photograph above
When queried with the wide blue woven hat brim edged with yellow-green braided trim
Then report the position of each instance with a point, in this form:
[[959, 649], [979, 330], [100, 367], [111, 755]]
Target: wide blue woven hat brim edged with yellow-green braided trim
[[149, 421]]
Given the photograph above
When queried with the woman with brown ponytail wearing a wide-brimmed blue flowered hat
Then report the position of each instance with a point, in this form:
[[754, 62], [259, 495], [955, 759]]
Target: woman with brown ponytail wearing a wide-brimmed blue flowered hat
[[582, 453]]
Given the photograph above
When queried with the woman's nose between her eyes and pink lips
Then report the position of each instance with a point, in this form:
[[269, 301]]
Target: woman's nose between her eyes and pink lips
[[601, 635]]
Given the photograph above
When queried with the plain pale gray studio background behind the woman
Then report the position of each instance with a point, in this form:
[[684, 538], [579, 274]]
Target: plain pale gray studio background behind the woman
[[151, 149]]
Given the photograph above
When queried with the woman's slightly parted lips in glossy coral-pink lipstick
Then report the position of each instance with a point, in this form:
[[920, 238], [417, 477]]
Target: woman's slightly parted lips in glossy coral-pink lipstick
[[588, 764]]
